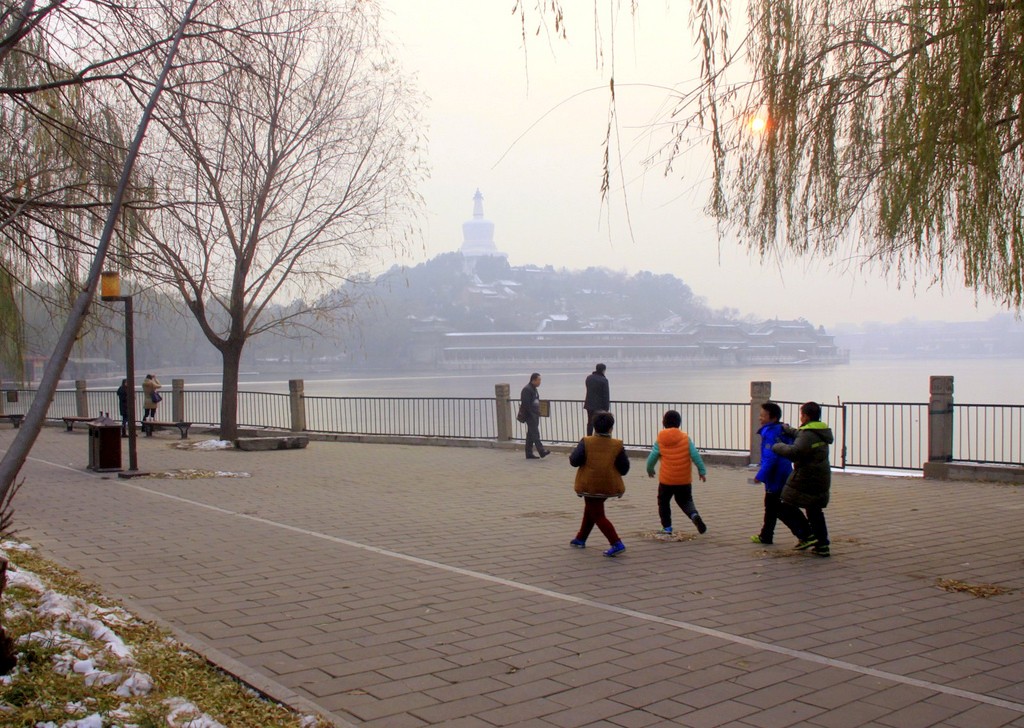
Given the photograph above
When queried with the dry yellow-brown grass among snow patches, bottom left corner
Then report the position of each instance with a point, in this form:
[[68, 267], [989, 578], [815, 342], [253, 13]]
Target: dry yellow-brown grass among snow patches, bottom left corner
[[37, 692]]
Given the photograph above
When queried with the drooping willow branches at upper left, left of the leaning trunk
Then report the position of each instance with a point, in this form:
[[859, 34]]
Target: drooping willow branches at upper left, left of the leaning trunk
[[62, 150]]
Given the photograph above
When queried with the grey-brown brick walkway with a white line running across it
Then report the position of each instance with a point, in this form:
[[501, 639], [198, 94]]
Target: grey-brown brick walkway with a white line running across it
[[403, 586]]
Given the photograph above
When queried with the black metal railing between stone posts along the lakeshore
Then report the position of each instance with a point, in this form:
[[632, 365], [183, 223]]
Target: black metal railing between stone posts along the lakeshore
[[891, 436]]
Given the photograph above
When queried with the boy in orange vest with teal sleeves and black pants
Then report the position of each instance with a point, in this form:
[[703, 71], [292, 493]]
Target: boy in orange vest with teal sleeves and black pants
[[678, 455]]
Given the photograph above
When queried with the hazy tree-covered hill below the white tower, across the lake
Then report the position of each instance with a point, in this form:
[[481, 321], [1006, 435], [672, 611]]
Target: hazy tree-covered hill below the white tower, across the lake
[[451, 293]]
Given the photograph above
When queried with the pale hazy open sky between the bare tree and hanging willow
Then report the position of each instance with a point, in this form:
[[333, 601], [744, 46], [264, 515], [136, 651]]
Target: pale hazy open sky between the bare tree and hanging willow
[[528, 131]]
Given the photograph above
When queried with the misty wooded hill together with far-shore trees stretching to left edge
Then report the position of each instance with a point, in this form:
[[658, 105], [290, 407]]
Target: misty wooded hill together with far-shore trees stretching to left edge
[[376, 323]]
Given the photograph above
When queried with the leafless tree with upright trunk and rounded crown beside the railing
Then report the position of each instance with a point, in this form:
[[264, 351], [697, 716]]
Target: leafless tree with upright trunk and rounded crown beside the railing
[[296, 163]]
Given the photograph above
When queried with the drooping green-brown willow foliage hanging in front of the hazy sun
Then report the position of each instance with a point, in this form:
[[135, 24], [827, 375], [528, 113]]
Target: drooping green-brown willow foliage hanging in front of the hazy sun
[[891, 127]]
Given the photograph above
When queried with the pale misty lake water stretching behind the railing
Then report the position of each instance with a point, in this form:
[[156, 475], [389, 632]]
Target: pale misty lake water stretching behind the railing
[[976, 382]]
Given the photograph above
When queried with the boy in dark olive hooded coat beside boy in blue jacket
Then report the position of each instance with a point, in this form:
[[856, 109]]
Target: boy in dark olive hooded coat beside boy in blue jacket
[[812, 480]]
